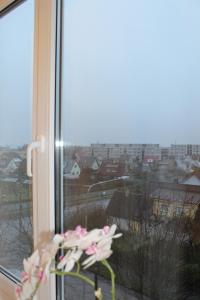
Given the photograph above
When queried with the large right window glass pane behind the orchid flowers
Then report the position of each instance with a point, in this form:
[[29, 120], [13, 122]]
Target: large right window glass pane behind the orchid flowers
[[130, 92]]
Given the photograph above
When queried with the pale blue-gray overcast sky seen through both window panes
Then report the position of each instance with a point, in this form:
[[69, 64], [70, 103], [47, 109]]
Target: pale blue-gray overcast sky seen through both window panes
[[131, 72]]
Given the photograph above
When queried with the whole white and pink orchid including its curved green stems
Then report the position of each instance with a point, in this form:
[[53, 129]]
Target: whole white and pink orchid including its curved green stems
[[80, 248]]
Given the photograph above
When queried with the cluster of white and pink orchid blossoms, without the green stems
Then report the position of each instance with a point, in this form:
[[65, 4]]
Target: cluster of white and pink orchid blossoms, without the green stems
[[95, 243]]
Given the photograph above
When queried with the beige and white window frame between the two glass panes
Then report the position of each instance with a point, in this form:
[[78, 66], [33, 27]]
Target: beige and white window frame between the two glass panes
[[43, 125]]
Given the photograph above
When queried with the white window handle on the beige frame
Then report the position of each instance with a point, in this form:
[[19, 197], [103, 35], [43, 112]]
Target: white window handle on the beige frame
[[40, 145]]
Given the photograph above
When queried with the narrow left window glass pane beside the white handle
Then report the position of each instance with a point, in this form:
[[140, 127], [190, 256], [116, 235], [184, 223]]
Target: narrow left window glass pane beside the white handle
[[16, 60]]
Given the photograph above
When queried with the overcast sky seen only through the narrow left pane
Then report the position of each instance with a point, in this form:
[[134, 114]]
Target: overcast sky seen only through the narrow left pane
[[16, 53]]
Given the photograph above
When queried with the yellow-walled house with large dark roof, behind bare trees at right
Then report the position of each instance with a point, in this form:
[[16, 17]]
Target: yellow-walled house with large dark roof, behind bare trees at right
[[132, 211]]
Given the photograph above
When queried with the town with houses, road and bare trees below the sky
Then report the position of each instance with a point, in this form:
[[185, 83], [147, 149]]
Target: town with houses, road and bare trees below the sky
[[151, 192]]
